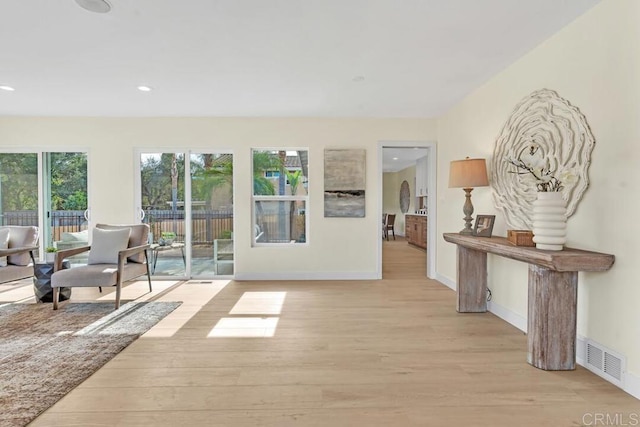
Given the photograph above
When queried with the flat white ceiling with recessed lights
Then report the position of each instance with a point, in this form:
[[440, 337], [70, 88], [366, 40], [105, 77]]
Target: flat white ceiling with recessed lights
[[269, 58]]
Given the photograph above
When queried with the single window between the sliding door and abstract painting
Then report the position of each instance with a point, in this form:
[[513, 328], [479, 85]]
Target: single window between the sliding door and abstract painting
[[280, 196]]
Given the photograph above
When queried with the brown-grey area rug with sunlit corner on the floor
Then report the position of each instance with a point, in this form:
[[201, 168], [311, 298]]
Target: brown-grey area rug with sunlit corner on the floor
[[44, 354]]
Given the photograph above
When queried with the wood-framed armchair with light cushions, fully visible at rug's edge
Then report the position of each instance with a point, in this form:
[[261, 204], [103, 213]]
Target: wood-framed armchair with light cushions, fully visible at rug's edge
[[117, 253]]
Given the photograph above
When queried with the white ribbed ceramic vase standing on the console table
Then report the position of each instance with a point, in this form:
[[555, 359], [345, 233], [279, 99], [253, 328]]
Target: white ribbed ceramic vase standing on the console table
[[550, 221]]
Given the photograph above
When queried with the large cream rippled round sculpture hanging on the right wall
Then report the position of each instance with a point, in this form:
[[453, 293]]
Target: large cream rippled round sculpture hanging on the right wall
[[548, 133]]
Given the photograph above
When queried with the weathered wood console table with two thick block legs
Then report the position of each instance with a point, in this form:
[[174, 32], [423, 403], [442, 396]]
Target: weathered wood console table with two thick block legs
[[553, 292]]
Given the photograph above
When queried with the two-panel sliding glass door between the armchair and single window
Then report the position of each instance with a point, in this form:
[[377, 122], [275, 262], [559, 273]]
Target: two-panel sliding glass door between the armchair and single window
[[190, 215]]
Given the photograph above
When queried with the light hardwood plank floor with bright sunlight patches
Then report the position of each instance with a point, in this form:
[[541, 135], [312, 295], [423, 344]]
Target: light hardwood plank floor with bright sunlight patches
[[332, 353]]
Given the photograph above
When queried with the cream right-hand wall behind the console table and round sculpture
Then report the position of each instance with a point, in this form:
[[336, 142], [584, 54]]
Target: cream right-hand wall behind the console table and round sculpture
[[595, 64]]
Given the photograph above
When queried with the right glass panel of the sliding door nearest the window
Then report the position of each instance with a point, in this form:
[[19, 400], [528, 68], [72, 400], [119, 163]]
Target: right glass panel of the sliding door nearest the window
[[212, 249]]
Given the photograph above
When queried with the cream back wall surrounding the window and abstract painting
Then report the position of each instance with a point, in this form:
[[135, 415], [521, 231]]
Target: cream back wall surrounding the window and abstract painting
[[338, 248]]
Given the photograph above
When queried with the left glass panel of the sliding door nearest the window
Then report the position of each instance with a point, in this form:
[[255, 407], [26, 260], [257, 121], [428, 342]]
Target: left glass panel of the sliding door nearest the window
[[162, 191]]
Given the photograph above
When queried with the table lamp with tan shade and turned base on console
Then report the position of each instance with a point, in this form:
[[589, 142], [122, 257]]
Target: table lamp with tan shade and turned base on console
[[467, 174]]
